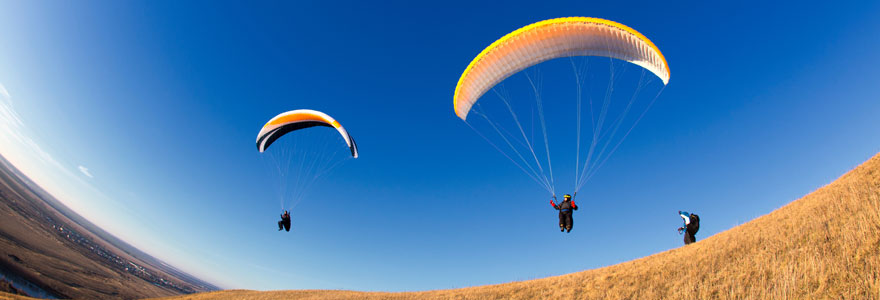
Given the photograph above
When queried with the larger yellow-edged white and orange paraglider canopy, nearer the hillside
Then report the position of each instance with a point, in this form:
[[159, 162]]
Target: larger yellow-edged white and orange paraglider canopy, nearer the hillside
[[549, 39]]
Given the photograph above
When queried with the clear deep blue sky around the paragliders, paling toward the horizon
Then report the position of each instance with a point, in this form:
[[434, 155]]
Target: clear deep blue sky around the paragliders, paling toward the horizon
[[142, 117]]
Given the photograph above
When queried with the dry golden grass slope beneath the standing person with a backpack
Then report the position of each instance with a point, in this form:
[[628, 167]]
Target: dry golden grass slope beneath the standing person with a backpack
[[822, 246]]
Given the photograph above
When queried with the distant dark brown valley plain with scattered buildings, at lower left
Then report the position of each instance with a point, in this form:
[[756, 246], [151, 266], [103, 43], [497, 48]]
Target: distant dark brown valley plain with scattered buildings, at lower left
[[70, 262]]
